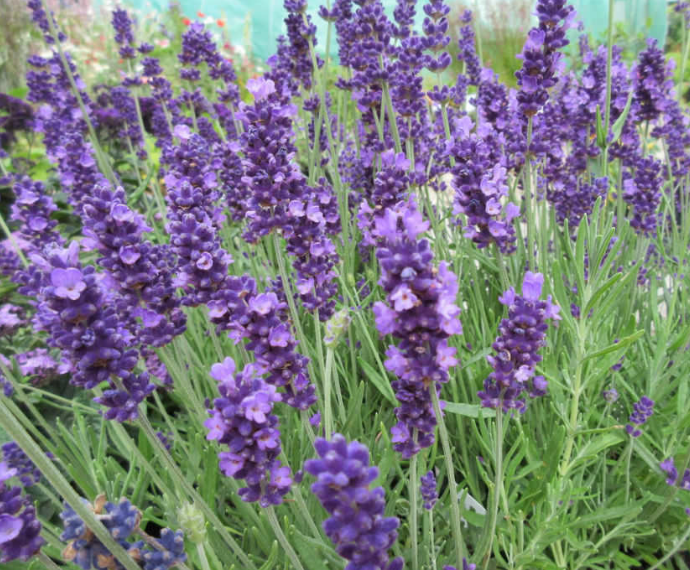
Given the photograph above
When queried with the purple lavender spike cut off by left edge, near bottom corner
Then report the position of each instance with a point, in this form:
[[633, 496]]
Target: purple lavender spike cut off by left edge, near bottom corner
[[20, 530]]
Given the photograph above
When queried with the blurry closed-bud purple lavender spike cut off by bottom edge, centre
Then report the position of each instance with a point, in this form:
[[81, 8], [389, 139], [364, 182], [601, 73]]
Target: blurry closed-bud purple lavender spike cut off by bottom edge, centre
[[357, 526]]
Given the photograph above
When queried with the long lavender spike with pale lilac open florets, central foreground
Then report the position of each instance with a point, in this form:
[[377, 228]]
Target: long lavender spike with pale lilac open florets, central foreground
[[420, 311]]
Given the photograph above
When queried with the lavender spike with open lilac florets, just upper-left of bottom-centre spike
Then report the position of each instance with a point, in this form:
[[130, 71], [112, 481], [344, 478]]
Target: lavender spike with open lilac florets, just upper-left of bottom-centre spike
[[241, 419]]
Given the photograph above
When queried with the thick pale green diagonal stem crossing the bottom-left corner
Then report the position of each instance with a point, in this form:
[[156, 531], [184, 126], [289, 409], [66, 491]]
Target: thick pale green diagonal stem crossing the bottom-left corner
[[62, 486]]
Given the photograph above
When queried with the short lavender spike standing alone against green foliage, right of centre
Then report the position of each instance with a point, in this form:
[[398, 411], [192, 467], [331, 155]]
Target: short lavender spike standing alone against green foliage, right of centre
[[522, 334]]
